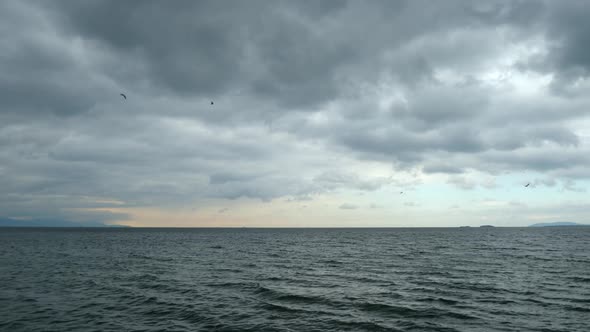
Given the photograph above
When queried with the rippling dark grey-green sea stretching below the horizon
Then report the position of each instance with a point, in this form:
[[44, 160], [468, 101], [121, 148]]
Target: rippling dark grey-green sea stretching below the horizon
[[249, 279]]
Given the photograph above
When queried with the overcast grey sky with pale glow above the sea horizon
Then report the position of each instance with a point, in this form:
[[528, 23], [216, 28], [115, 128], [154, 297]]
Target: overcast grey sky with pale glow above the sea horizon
[[324, 112]]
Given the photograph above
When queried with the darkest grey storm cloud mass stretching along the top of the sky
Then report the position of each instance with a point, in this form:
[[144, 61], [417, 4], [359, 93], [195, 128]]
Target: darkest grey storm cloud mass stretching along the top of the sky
[[294, 53]]
